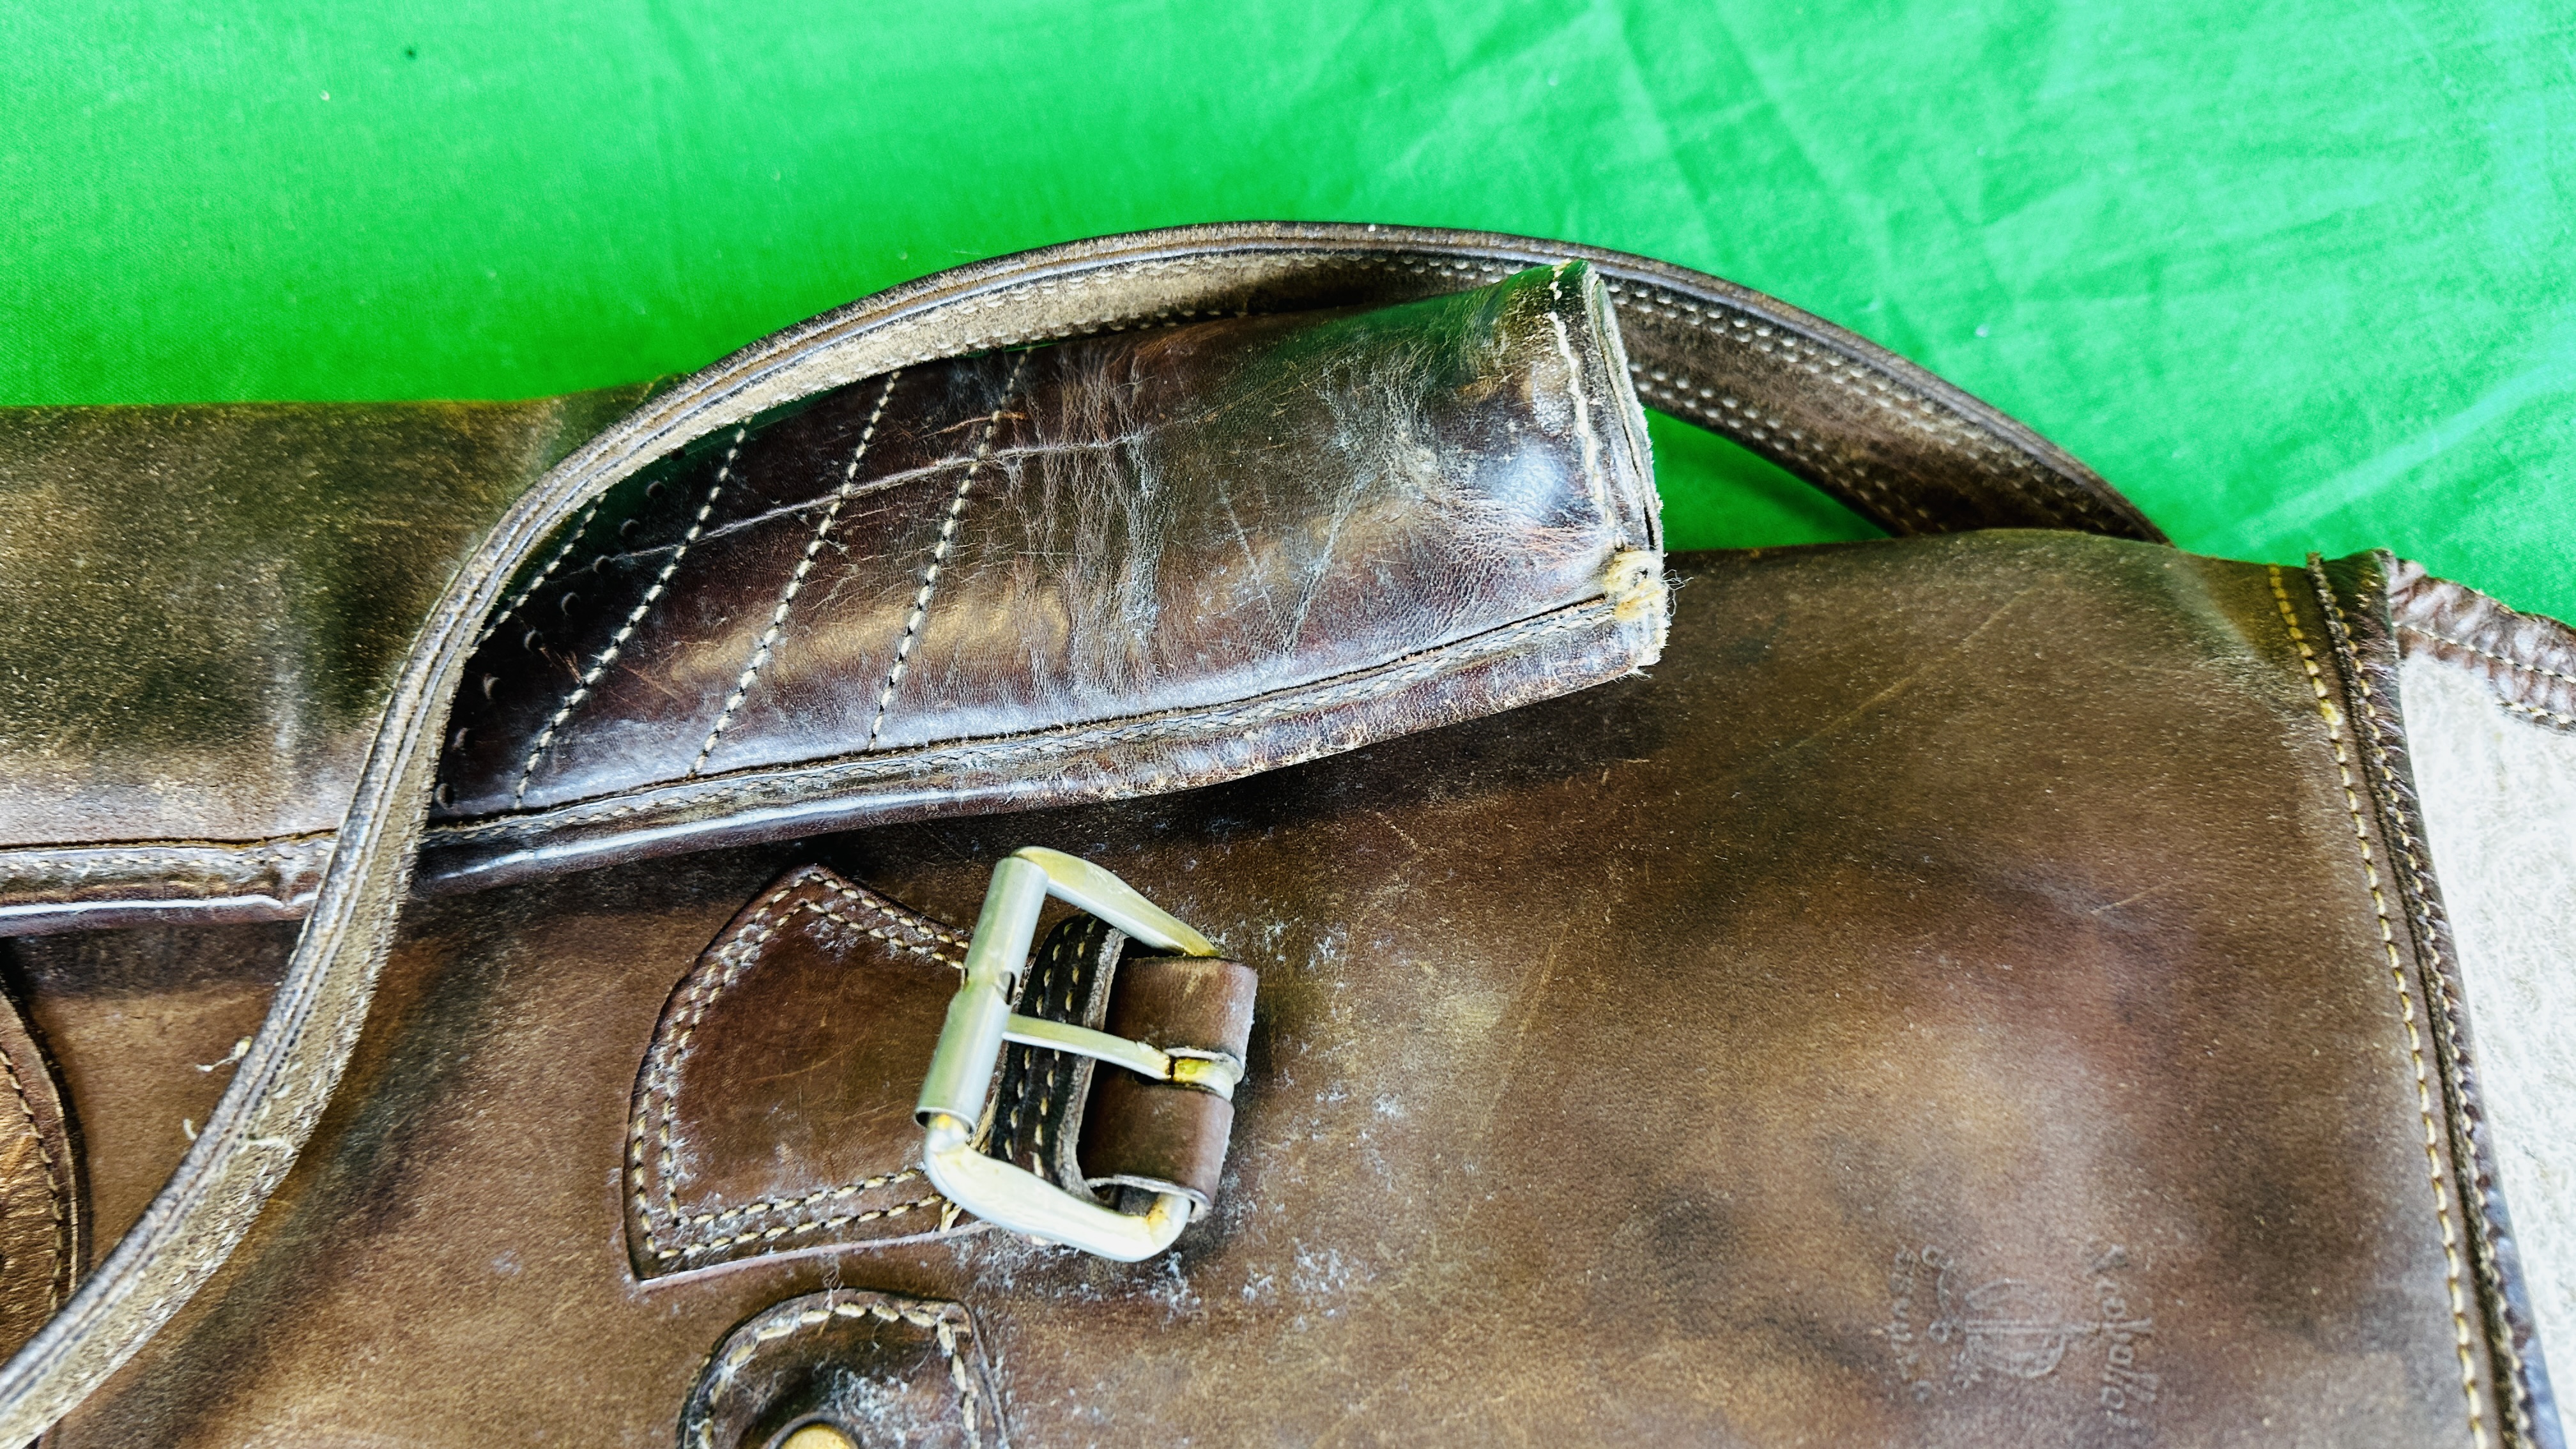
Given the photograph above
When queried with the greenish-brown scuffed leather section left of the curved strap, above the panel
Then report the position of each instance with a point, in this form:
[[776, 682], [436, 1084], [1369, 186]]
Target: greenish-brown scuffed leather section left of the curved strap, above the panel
[[200, 618]]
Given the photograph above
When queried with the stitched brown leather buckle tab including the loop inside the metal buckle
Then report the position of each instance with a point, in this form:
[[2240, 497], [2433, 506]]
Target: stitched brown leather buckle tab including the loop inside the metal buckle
[[774, 1107]]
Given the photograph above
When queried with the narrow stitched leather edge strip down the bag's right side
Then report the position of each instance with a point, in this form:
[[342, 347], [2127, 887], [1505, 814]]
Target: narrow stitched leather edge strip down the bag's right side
[[2361, 628]]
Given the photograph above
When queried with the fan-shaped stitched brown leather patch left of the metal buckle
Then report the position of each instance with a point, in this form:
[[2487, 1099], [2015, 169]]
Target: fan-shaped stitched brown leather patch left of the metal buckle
[[741, 1143]]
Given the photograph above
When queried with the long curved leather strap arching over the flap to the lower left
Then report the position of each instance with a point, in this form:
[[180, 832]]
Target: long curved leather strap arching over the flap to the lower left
[[1853, 419]]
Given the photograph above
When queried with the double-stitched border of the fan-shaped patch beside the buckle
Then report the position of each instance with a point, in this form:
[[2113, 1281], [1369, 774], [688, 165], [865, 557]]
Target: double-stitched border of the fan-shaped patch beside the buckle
[[741, 958]]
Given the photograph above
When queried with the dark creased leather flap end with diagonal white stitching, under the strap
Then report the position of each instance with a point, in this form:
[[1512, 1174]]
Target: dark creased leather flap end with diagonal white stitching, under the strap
[[1096, 569]]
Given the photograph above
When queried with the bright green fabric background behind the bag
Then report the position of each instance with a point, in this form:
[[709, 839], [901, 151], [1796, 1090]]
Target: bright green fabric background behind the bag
[[2294, 277]]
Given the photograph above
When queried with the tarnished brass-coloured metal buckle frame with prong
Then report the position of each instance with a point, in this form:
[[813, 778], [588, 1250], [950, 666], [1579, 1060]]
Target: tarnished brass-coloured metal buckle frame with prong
[[980, 1020]]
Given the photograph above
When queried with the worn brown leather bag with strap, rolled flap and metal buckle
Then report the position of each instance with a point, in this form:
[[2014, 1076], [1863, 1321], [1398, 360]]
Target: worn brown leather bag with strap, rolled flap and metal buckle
[[488, 883]]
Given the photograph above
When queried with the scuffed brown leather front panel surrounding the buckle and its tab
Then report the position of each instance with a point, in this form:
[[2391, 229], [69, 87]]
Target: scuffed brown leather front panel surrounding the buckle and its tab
[[1946, 991]]
